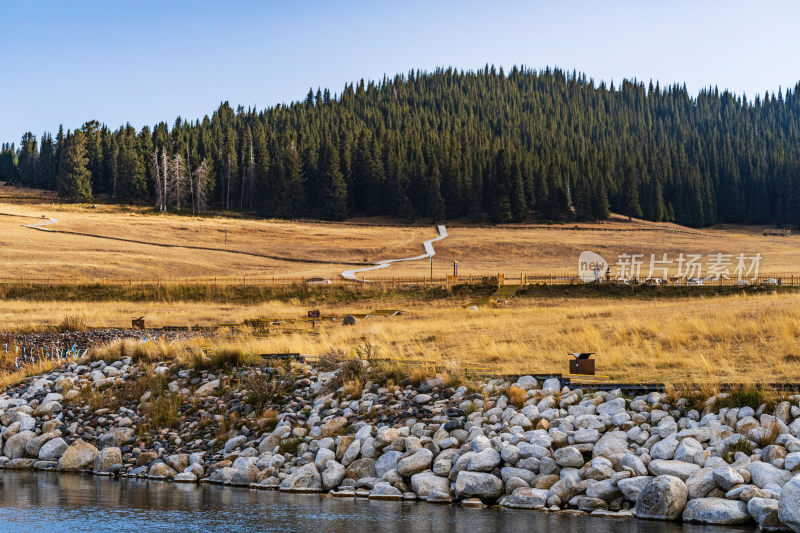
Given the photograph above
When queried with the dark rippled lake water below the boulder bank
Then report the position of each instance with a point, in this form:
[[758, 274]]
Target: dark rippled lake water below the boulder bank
[[50, 502]]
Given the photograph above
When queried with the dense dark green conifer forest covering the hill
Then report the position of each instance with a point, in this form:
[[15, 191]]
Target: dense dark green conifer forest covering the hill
[[547, 145]]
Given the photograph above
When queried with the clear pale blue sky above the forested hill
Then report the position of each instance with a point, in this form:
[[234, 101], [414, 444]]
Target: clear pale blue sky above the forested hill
[[146, 61]]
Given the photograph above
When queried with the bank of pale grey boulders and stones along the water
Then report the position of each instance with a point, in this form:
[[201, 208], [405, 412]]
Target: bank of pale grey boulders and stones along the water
[[521, 445]]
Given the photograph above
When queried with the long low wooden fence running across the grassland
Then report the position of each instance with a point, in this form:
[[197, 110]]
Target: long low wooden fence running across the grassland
[[774, 279]]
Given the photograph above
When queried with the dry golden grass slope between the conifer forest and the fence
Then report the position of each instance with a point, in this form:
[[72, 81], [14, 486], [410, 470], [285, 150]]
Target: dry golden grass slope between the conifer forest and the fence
[[479, 251]]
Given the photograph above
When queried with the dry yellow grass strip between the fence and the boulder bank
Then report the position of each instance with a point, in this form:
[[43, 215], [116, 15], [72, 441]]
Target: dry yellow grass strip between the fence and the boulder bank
[[741, 339]]
